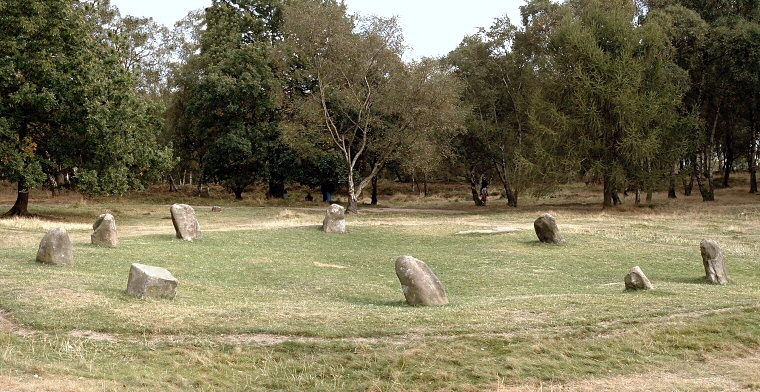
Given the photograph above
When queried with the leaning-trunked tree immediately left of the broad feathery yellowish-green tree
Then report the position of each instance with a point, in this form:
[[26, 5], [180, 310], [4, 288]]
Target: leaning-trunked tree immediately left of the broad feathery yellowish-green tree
[[502, 87]]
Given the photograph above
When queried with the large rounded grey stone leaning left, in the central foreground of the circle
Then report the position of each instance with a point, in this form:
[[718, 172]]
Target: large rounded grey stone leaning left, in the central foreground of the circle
[[420, 285]]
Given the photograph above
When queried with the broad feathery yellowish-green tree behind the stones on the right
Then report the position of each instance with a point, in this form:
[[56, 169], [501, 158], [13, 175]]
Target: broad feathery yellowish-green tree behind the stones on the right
[[619, 91]]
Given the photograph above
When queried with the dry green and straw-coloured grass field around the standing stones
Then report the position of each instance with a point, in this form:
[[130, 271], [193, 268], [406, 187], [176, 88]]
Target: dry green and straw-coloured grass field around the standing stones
[[267, 301]]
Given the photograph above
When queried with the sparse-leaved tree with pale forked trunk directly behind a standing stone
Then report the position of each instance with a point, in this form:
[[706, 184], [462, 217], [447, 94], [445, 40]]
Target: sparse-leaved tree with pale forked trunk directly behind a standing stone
[[365, 96]]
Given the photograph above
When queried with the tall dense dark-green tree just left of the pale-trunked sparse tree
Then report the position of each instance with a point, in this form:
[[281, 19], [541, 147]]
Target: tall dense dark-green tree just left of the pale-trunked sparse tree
[[228, 100]]
